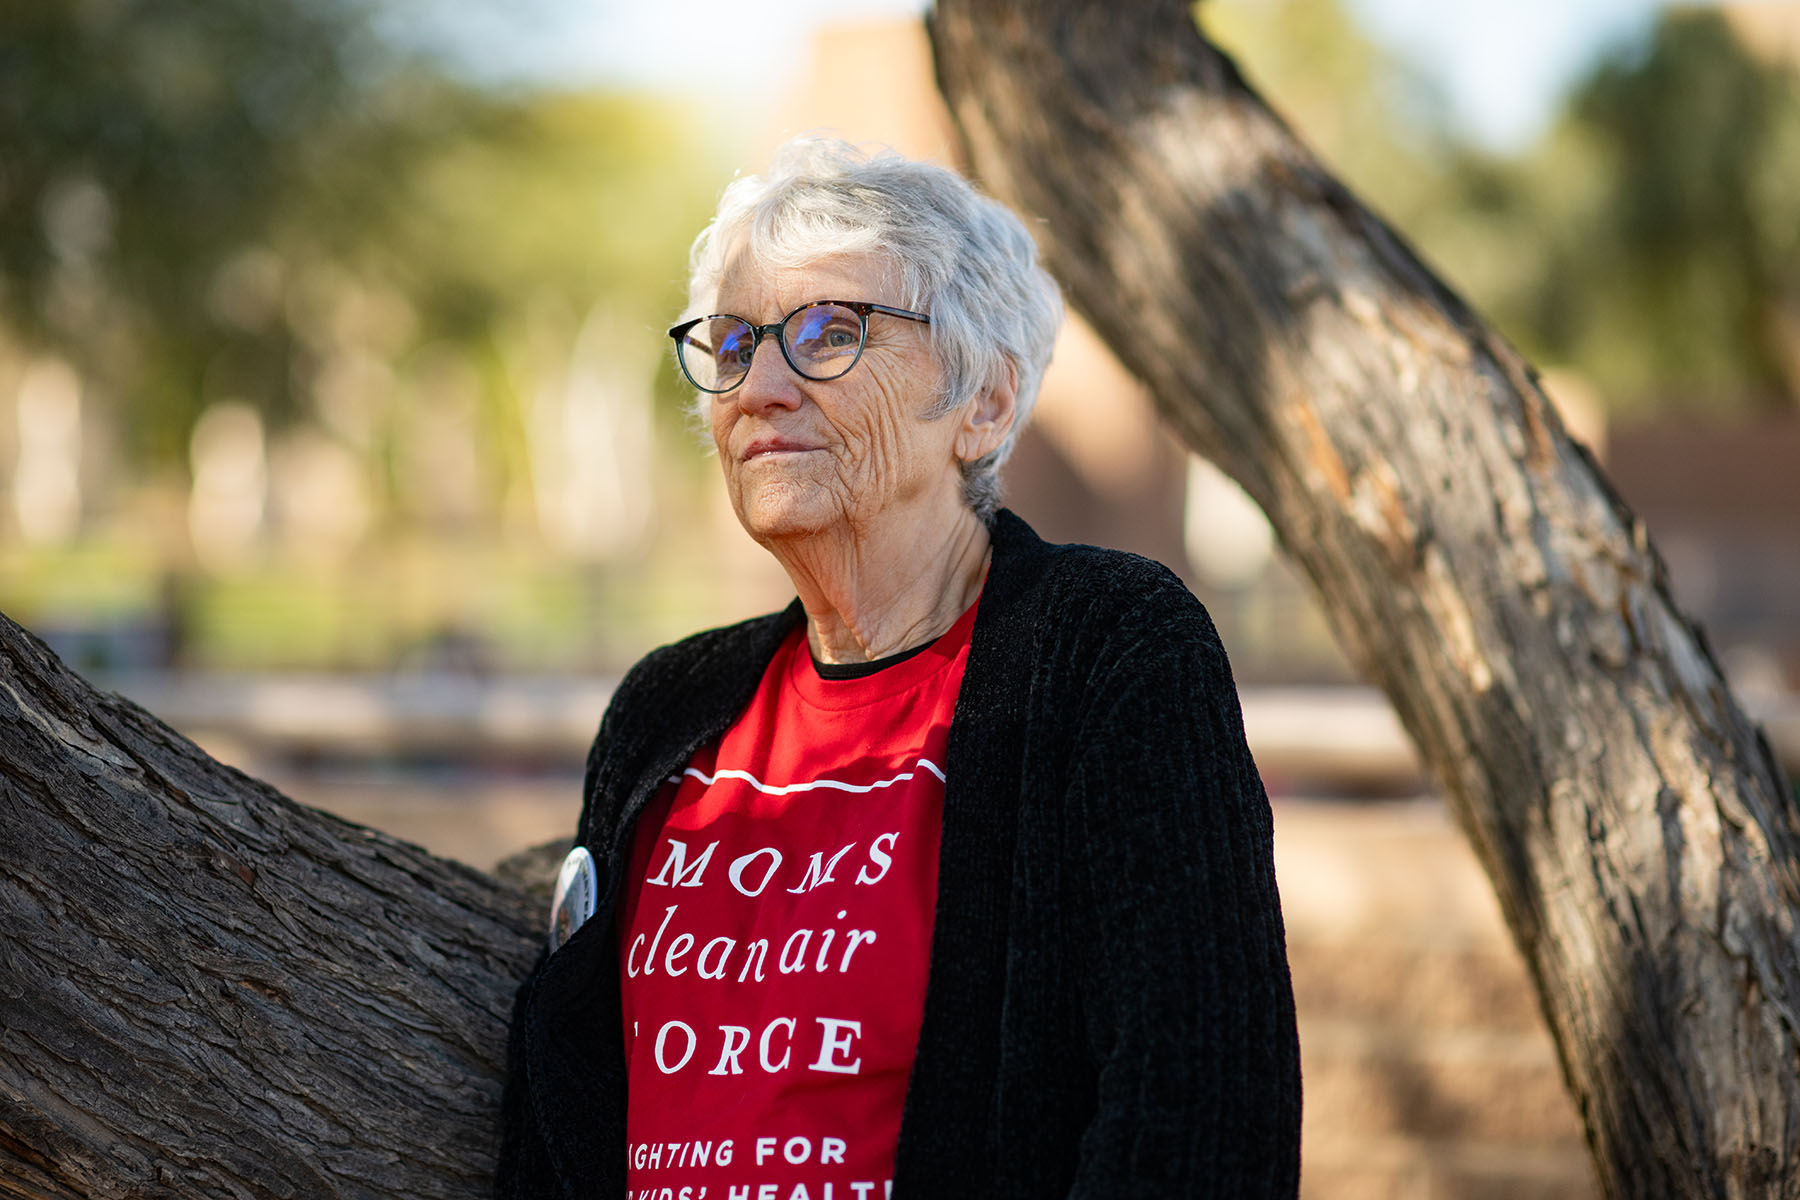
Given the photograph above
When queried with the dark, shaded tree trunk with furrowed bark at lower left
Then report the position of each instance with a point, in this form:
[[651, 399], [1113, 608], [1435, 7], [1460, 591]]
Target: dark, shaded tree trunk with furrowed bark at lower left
[[211, 990]]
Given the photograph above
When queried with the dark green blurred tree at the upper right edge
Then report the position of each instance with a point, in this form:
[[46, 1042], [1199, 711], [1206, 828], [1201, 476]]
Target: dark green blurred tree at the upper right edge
[[1682, 283]]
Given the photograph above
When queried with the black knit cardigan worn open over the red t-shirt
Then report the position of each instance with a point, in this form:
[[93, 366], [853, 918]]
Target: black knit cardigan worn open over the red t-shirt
[[1108, 1008]]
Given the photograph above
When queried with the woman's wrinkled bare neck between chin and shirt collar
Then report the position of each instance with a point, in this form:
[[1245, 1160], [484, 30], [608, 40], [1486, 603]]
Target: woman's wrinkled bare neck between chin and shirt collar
[[876, 591]]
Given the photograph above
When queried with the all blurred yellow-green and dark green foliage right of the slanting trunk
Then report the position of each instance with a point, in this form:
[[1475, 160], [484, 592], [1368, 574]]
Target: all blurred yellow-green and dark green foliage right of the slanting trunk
[[1648, 240]]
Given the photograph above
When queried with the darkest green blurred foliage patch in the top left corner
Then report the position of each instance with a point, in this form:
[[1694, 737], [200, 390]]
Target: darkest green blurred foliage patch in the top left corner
[[145, 145]]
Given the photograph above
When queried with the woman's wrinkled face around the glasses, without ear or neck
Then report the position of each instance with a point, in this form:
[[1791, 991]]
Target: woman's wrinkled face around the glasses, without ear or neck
[[805, 458]]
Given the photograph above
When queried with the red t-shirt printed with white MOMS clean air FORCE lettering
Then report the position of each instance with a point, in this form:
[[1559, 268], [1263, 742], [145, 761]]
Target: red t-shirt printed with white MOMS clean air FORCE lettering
[[775, 936]]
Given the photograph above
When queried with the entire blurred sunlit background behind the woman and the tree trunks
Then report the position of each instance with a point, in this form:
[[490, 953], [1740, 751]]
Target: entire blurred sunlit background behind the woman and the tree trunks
[[337, 422]]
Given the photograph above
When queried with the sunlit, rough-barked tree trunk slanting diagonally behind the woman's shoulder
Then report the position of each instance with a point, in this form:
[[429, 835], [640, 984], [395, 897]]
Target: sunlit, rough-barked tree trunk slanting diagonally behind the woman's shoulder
[[1471, 559]]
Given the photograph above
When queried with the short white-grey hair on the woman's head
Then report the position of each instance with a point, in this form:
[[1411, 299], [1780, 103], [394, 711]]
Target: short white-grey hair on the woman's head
[[960, 256]]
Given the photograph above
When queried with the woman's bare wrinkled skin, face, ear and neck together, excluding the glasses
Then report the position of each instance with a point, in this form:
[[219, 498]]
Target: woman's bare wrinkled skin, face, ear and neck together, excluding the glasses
[[847, 483]]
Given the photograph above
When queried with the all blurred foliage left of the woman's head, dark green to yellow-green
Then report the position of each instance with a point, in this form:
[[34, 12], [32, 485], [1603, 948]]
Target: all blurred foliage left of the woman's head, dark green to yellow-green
[[208, 199]]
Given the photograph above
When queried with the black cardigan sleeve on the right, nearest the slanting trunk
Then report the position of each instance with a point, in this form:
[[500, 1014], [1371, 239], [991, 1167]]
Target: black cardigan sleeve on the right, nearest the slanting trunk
[[1185, 987]]
